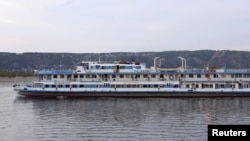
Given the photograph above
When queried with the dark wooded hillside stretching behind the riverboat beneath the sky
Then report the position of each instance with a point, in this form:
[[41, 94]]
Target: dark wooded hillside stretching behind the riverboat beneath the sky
[[195, 59]]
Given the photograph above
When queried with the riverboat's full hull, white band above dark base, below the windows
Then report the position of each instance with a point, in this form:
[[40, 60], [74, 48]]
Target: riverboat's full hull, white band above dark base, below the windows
[[131, 92]]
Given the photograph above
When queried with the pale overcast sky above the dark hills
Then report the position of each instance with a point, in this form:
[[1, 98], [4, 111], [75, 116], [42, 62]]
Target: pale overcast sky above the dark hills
[[96, 26]]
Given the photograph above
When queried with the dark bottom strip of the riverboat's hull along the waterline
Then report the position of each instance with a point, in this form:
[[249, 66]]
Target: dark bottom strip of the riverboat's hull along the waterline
[[133, 94]]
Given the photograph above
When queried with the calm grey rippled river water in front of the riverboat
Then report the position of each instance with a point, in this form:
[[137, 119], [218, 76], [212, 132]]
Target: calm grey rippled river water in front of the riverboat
[[111, 119]]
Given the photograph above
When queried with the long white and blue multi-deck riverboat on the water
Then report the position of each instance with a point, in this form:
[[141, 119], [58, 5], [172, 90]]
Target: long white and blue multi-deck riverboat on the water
[[134, 79]]
